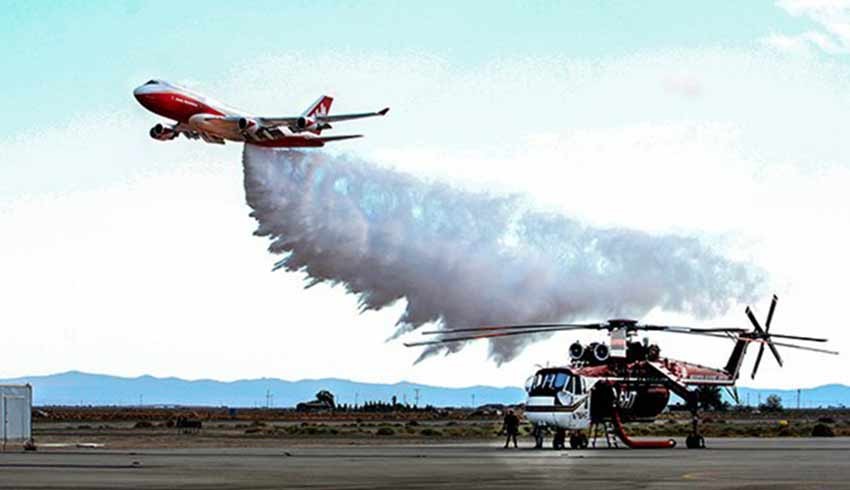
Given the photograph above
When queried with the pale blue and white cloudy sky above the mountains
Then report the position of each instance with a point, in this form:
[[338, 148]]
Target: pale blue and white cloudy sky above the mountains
[[721, 120]]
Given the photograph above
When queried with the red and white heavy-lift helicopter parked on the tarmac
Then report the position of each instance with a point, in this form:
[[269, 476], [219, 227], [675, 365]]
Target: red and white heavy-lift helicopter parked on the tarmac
[[624, 380]]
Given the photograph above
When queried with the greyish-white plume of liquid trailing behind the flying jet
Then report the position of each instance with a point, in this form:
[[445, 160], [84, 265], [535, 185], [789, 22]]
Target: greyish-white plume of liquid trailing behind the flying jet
[[465, 259]]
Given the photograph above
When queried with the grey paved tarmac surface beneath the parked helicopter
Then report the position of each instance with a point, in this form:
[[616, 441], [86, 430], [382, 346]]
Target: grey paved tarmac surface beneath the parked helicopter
[[728, 463]]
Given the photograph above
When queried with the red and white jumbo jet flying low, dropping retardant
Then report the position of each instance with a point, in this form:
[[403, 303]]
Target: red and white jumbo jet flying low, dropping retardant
[[197, 117]]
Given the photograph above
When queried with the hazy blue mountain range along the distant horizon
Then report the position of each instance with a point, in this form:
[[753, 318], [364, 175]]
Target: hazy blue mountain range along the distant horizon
[[76, 388]]
